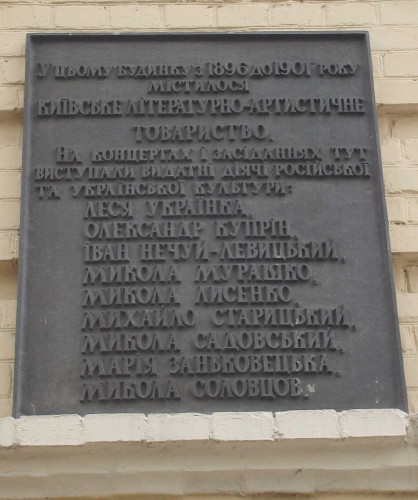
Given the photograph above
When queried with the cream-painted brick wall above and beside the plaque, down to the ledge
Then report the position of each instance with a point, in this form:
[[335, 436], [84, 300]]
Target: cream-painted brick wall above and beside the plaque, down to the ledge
[[393, 27]]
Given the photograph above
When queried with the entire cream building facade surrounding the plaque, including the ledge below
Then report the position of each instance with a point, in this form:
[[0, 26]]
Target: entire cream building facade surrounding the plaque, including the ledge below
[[358, 454]]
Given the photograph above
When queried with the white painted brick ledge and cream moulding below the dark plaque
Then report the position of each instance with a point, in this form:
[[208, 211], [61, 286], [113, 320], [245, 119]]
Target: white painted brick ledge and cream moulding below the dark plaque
[[310, 453]]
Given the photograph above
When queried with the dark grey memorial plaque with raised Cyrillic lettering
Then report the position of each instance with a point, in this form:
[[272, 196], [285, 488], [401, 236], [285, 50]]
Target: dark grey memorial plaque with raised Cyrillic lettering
[[203, 227]]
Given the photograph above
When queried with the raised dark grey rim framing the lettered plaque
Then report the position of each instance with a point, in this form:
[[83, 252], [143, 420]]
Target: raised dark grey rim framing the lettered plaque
[[32, 37]]
